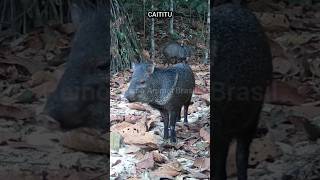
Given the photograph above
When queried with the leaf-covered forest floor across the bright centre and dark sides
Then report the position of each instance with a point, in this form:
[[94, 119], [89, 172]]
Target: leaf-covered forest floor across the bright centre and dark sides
[[287, 144]]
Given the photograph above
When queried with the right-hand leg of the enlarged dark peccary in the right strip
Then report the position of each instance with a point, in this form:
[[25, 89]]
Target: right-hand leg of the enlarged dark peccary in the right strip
[[242, 156]]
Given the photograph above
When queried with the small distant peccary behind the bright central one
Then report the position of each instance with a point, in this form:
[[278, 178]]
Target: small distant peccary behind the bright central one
[[175, 52]]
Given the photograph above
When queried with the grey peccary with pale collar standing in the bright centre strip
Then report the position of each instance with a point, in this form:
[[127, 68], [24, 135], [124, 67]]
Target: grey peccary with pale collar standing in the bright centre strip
[[166, 90]]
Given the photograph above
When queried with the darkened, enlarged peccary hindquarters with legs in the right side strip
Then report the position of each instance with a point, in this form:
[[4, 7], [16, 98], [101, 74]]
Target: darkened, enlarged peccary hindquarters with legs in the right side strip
[[242, 68]]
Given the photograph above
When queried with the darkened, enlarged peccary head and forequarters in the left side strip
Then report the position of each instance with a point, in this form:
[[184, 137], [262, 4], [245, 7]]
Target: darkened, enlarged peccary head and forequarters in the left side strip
[[80, 98]]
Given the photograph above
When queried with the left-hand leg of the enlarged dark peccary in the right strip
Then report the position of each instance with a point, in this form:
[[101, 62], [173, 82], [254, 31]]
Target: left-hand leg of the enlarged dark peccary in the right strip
[[220, 153]]
